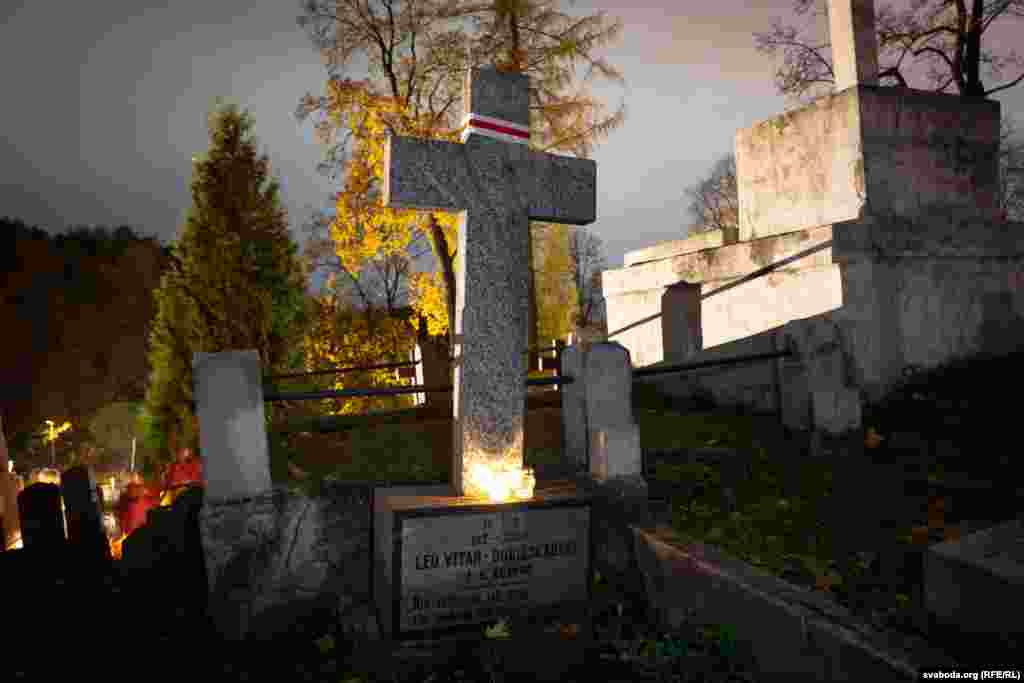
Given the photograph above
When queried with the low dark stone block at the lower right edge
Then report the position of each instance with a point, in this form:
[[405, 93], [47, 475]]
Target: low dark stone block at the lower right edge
[[975, 582]]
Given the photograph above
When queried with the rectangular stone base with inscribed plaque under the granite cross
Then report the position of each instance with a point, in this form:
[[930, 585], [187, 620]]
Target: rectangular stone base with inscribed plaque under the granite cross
[[447, 566]]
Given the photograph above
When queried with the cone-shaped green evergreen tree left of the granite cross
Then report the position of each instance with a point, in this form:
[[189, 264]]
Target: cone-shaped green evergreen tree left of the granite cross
[[236, 281]]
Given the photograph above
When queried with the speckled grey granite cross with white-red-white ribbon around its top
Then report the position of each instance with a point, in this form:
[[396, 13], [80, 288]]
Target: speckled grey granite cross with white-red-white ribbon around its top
[[499, 185]]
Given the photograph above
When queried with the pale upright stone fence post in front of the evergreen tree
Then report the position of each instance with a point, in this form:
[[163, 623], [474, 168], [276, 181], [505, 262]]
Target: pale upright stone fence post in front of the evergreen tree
[[233, 429]]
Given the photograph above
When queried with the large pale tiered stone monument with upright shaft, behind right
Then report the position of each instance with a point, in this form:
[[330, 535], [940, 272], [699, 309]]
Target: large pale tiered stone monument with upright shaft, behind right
[[872, 214]]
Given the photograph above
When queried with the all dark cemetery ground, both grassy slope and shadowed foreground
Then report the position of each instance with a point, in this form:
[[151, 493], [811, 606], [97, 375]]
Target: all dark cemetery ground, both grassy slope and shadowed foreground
[[852, 523]]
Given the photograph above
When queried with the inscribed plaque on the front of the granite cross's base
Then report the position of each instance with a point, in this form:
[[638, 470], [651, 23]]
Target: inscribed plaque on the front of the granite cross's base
[[472, 568]]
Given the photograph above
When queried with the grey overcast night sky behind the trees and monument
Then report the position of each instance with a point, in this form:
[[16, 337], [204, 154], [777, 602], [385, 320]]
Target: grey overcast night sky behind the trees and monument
[[107, 102]]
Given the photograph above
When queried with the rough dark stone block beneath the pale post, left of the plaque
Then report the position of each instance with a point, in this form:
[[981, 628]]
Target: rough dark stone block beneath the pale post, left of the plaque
[[281, 557]]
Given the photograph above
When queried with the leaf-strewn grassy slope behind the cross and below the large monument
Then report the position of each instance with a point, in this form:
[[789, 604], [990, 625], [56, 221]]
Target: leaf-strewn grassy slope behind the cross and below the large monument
[[854, 522]]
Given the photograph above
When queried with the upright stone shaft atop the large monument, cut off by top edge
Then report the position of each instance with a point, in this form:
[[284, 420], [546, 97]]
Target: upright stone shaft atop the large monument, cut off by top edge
[[855, 45]]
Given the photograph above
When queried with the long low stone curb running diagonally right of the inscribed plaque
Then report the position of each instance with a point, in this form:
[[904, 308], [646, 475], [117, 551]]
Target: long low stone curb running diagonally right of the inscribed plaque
[[796, 634]]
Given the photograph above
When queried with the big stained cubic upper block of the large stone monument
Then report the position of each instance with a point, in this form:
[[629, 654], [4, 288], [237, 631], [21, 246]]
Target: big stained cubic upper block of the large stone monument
[[819, 165]]
